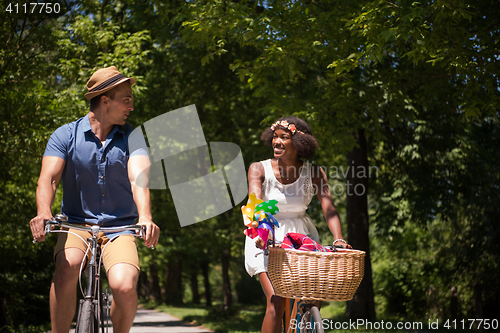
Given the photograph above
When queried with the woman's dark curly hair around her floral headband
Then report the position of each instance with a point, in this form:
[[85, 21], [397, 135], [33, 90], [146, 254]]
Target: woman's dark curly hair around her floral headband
[[304, 142]]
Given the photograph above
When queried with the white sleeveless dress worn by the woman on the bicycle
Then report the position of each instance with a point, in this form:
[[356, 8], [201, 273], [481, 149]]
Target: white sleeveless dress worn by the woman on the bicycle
[[293, 200]]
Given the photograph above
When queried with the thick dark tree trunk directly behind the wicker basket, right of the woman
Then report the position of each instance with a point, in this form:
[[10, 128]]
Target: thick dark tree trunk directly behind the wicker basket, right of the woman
[[362, 306]]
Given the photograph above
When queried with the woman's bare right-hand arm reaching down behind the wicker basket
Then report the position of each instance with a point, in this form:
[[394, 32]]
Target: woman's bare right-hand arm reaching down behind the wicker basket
[[325, 198]]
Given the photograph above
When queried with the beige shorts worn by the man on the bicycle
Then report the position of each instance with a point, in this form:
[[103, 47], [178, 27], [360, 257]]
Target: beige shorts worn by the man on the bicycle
[[122, 249]]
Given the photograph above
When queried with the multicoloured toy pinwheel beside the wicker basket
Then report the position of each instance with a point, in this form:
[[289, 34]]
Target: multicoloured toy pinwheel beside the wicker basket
[[258, 217]]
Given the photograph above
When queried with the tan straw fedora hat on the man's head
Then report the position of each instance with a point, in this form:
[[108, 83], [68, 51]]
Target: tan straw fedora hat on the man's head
[[105, 79]]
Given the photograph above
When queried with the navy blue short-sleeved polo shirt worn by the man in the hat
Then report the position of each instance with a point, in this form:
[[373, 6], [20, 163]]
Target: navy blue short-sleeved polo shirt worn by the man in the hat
[[96, 187]]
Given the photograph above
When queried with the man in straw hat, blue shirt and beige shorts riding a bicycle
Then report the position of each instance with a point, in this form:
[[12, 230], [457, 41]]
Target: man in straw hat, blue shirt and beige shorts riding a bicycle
[[91, 156]]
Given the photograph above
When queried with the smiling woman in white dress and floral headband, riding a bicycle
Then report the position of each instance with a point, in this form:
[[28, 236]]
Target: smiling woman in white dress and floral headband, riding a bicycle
[[293, 182]]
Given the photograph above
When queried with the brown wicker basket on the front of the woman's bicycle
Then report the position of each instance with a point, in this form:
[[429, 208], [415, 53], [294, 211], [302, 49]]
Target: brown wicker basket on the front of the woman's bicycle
[[325, 276]]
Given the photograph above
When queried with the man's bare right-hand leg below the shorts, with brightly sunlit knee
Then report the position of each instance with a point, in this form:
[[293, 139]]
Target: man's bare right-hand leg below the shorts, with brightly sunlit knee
[[123, 282]]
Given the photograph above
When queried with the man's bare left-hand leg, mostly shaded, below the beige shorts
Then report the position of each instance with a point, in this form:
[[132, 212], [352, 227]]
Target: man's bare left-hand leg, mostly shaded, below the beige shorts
[[63, 289]]
